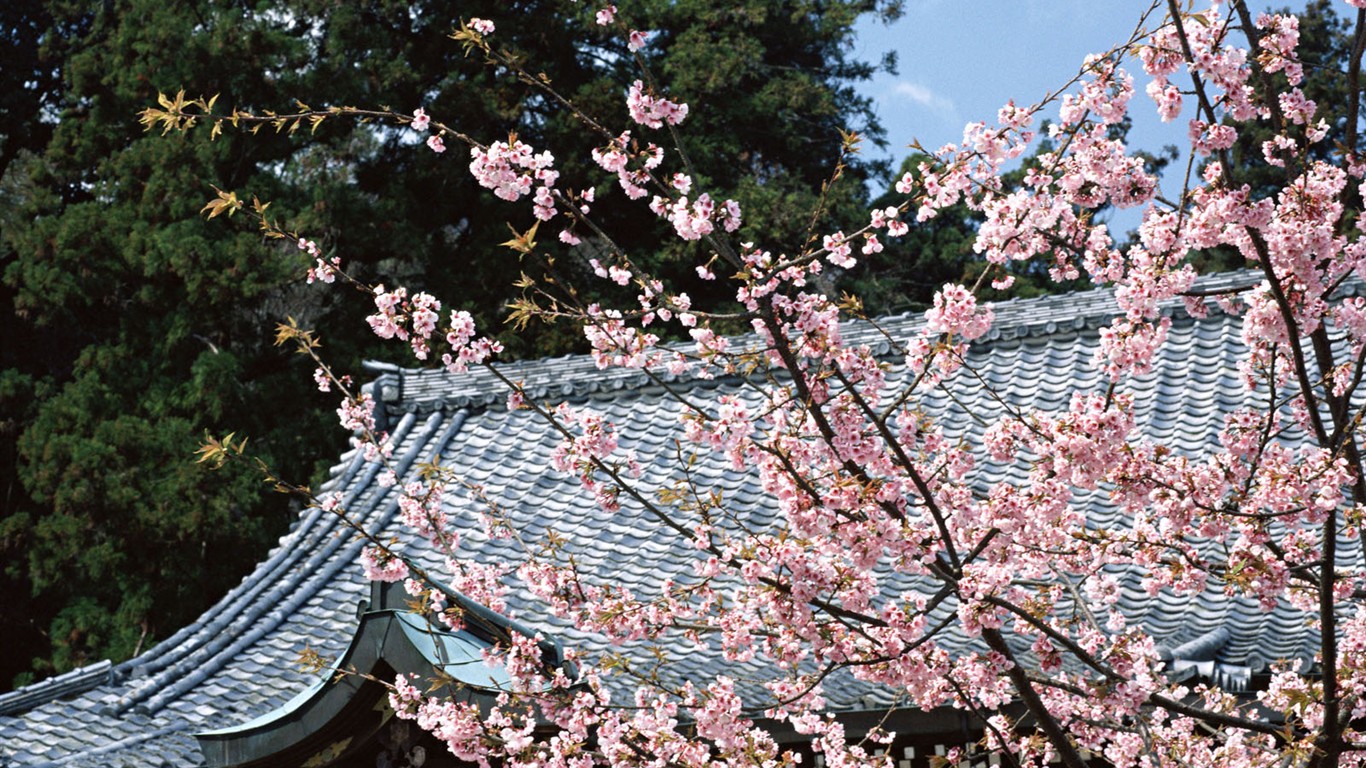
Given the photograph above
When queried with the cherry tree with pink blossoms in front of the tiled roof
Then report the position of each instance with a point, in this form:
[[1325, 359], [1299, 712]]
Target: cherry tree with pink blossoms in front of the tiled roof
[[869, 490]]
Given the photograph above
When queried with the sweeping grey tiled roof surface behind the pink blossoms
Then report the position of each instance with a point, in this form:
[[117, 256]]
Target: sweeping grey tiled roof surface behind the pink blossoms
[[238, 661]]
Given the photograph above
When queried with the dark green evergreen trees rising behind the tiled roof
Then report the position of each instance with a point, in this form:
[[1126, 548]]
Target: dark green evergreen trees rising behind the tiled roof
[[132, 326]]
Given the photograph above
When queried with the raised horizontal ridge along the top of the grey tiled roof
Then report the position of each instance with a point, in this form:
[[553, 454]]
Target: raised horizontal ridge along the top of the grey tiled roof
[[577, 375]]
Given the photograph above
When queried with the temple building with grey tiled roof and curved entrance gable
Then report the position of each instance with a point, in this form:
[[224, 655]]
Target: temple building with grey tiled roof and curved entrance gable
[[229, 691]]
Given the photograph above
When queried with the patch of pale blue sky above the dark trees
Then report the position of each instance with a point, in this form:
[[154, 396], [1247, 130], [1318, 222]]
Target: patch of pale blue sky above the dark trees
[[961, 61]]
